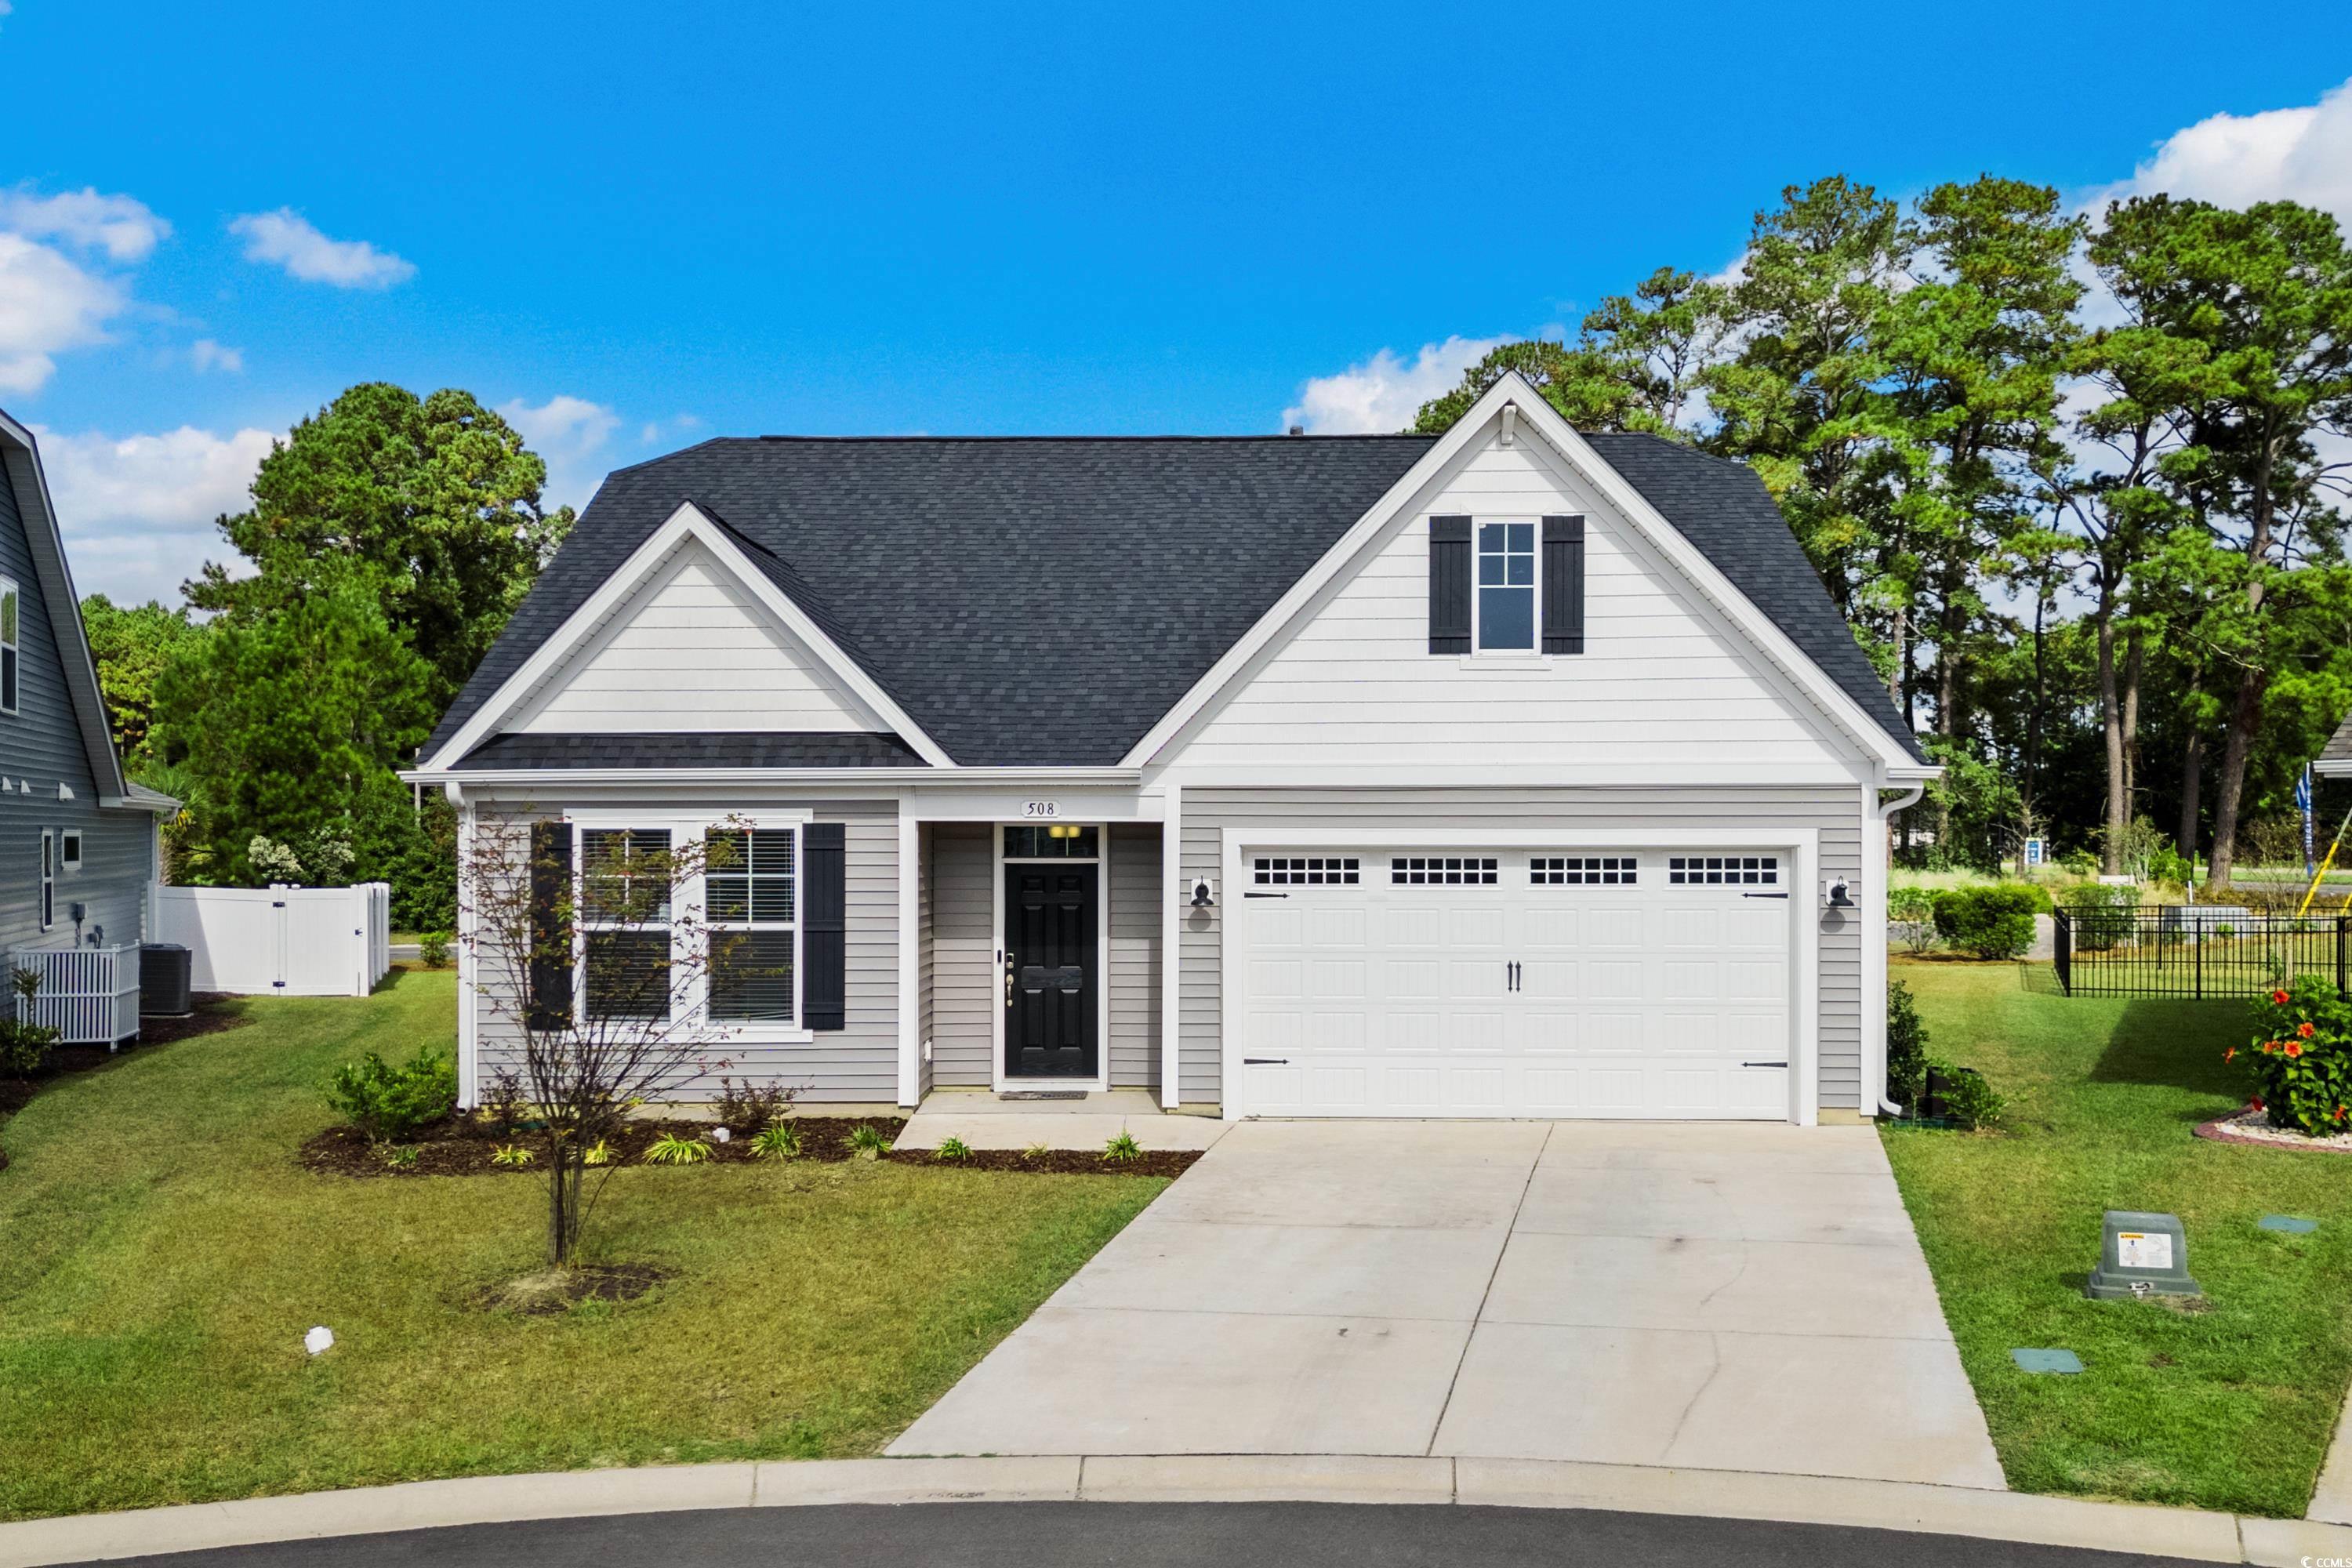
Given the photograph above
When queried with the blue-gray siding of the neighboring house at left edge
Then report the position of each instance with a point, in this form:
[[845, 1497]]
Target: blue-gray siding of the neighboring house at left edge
[[41, 746]]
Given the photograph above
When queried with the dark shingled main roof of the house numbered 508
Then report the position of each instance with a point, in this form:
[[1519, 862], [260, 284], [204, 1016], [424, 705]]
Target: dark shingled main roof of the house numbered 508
[[1045, 601]]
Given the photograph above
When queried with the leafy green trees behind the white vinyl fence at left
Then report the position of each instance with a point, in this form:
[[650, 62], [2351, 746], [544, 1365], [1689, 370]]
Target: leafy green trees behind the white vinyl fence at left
[[382, 551]]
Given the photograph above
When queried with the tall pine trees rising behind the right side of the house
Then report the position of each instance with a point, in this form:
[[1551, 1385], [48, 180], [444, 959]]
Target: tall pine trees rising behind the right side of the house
[[2073, 478]]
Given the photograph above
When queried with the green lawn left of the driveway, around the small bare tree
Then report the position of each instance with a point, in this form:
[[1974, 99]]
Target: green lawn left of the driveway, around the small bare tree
[[163, 1257]]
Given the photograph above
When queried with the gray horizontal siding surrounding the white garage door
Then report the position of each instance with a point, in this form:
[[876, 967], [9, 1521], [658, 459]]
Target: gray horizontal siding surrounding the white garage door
[[1833, 812]]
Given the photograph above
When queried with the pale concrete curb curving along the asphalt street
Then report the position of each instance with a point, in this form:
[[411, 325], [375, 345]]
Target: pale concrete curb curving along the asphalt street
[[1883, 1506]]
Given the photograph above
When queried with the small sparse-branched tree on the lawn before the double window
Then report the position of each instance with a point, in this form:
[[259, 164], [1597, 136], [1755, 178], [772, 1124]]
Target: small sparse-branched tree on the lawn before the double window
[[587, 979]]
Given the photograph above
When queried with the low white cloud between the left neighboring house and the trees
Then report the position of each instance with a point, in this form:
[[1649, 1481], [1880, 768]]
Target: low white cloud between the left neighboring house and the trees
[[138, 509]]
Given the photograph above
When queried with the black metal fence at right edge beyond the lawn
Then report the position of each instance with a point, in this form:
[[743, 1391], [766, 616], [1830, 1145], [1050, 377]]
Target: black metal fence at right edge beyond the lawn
[[2193, 951]]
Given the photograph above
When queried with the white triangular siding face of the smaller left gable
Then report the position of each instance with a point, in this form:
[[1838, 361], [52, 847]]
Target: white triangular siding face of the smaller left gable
[[693, 650]]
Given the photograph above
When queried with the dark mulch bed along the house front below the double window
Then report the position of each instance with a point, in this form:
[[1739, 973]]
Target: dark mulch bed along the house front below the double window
[[465, 1146]]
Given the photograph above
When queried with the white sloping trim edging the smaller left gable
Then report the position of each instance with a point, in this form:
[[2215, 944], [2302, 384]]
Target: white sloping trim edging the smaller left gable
[[632, 575]]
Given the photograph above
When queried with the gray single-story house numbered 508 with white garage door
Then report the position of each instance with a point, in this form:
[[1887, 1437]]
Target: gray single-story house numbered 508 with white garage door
[[1495, 775]]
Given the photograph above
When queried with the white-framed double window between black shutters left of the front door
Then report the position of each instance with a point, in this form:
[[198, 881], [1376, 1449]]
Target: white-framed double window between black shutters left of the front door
[[690, 920]]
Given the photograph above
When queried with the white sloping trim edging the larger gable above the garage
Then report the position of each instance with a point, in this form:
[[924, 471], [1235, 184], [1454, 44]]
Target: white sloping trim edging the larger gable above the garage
[[1662, 535]]
